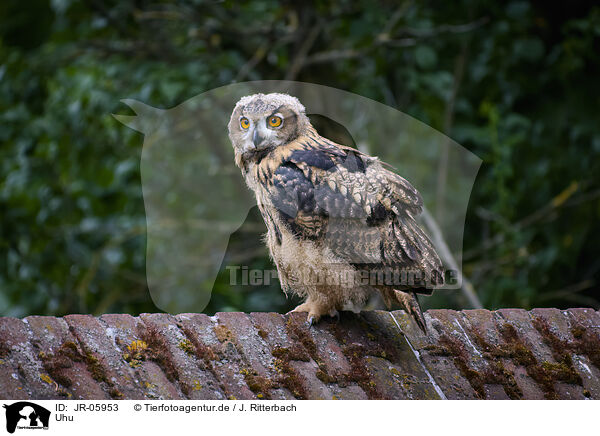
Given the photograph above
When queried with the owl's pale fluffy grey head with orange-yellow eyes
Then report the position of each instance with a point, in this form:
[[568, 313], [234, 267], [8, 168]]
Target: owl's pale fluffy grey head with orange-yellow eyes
[[261, 122]]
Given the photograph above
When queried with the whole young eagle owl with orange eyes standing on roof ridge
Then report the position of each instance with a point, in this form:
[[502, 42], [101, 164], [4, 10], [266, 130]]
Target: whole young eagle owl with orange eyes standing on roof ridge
[[340, 225]]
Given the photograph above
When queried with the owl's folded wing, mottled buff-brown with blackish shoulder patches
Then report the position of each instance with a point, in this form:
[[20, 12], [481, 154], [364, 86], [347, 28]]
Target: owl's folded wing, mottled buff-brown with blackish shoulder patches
[[338, 197]]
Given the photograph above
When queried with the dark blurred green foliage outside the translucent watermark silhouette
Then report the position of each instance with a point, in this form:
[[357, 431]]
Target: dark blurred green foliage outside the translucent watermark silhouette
[[514, 82]]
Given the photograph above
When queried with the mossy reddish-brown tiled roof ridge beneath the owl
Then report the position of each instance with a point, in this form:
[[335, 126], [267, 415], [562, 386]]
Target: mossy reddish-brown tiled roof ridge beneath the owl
[[470, 354]]
